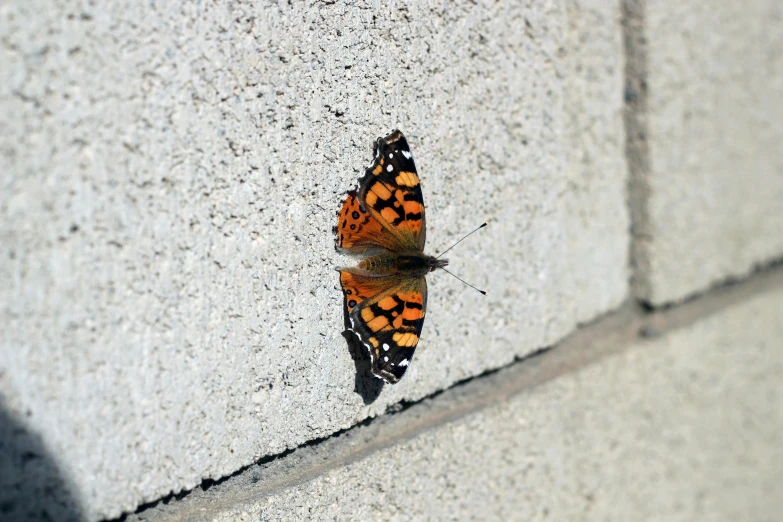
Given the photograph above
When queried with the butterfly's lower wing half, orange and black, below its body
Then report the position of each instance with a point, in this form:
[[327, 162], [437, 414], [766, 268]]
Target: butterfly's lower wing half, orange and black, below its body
[[386, 315]]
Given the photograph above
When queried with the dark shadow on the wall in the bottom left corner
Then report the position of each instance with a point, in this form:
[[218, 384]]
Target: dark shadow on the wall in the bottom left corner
[[32, 486]]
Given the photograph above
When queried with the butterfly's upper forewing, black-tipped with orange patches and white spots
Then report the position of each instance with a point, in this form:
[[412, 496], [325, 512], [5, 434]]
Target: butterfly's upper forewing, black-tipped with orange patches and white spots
[[390, 192]]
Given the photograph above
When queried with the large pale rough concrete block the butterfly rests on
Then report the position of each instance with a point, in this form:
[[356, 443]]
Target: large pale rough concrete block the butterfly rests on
[[170, 174]]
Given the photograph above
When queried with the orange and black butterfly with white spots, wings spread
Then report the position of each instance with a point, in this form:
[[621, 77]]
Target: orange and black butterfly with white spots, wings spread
[[386, 294]]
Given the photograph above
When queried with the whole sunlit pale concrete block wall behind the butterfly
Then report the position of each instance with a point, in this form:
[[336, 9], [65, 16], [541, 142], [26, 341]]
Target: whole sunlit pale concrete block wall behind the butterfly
[[170, 177]]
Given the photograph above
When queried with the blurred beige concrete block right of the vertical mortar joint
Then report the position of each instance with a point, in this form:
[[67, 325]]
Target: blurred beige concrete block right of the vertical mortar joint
[[711, 187]]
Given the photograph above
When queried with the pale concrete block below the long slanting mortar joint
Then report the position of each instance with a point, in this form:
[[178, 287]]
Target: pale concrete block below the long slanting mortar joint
[[683, 427]]
